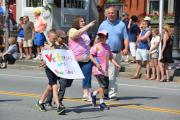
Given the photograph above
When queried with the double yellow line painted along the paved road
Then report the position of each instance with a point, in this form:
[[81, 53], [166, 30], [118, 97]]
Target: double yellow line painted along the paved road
[[110, 103]]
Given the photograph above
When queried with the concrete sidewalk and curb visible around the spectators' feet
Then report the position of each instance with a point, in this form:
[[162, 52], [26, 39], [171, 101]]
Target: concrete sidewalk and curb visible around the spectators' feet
[[127, 69]]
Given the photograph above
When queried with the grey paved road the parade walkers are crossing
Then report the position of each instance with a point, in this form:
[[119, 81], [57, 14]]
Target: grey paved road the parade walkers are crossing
[[138, 99]]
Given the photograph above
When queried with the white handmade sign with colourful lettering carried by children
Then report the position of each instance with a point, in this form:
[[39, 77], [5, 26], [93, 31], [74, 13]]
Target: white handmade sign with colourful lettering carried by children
[[62, 63]]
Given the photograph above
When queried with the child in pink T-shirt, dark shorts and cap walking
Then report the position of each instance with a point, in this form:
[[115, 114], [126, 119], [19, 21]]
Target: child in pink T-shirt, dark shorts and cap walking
[[100, 55]]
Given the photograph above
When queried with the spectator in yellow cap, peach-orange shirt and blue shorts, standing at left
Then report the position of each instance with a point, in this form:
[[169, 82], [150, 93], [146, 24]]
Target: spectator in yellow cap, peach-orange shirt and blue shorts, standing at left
[[40, 26]]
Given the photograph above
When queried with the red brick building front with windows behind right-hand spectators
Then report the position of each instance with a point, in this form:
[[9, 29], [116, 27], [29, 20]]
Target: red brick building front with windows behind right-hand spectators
[[141, 8]]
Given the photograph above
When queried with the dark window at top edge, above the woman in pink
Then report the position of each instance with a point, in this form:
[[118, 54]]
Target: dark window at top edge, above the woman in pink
[[77, 4]]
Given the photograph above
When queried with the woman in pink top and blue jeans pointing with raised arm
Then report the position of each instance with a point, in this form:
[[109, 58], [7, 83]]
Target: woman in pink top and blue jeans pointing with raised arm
[[79, 43]]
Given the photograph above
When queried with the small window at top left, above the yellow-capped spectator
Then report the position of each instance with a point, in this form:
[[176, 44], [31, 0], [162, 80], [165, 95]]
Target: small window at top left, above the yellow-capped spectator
[[34, 3]]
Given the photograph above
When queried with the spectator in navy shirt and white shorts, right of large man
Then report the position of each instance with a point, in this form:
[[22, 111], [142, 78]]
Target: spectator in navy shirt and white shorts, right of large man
[[133, 31]]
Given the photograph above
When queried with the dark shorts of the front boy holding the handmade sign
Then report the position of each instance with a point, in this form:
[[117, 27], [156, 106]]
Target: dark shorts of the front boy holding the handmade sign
[[51, 76]]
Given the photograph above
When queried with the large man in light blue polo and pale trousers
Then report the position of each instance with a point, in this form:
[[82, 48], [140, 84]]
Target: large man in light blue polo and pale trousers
[[117, 38]]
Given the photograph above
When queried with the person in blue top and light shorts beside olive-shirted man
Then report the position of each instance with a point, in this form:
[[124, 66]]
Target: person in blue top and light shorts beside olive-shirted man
[[20, 37]]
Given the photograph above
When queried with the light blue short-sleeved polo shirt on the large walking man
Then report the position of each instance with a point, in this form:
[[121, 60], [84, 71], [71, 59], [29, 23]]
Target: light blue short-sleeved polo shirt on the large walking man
[[116, 33]]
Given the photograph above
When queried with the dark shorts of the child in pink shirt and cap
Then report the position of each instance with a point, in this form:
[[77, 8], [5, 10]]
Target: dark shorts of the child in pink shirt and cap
[[102, 80]]
